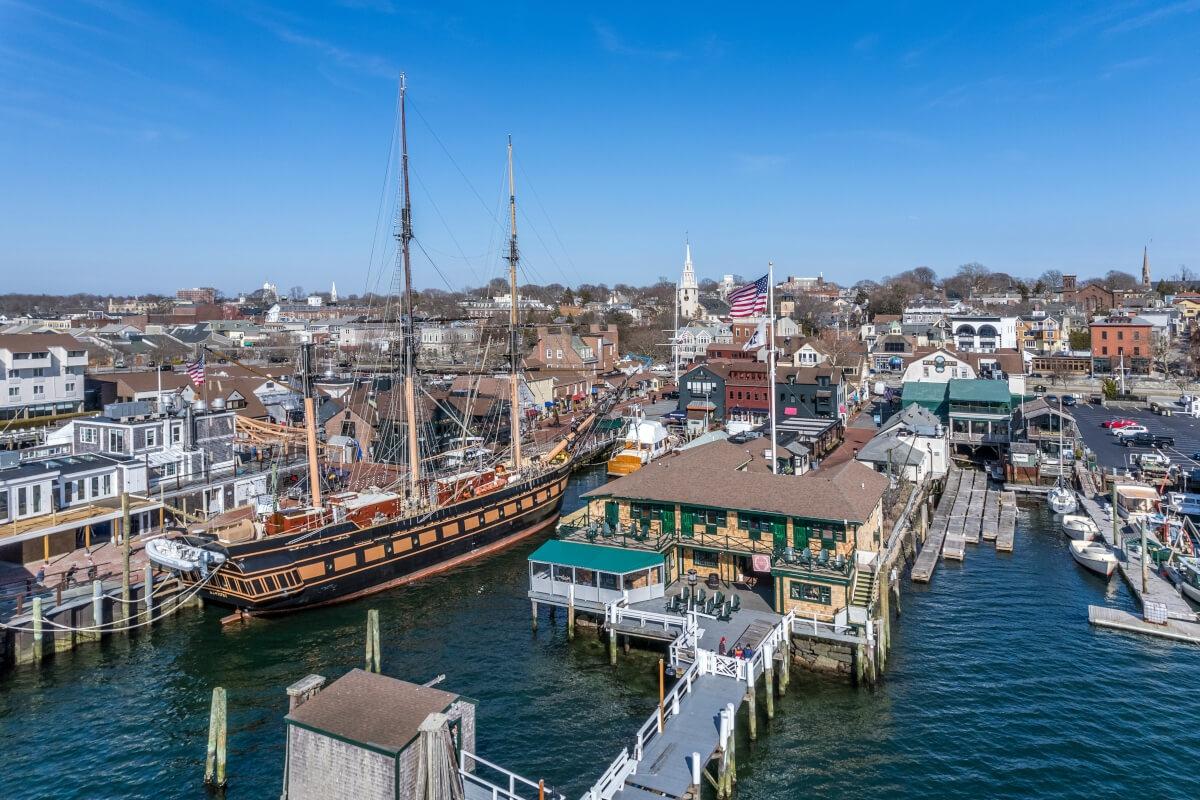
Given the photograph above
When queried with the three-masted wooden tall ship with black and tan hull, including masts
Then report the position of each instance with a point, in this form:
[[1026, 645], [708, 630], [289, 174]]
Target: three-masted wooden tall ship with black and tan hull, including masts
[[339, 543]]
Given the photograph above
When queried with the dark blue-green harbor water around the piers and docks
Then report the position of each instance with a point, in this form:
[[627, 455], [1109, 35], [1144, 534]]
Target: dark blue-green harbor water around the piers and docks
[[997, 687]]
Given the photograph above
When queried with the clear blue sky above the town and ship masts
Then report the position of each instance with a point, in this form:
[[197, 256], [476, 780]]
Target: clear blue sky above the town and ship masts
[[148, 147]]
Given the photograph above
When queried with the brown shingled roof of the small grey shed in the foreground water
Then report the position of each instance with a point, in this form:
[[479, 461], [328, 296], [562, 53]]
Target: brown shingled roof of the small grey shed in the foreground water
[[374, 711]]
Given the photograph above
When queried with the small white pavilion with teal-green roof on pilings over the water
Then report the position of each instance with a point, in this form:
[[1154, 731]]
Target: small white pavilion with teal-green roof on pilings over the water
[[596, 574]]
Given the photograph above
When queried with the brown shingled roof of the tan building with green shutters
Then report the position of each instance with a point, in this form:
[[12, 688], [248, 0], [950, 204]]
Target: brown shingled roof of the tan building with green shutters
[[728, 476]]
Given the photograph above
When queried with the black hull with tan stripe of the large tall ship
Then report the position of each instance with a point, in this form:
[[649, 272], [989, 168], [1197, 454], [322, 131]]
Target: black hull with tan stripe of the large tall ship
[[290, 573]]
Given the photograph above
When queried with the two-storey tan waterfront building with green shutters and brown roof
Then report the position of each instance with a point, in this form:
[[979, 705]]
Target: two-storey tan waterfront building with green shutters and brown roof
[[800, 540]]
